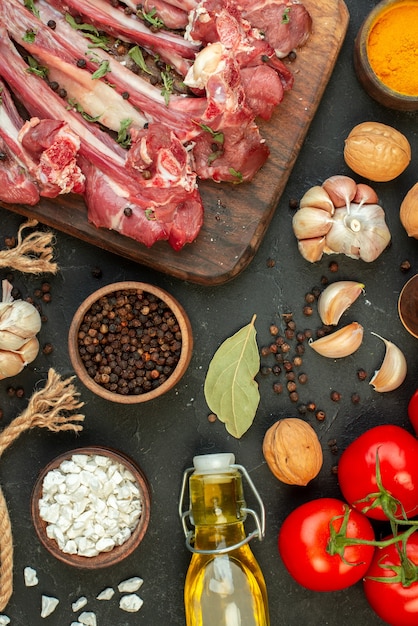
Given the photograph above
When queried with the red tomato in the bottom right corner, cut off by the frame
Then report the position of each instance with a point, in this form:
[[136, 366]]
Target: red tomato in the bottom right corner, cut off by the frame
[[395, 604]]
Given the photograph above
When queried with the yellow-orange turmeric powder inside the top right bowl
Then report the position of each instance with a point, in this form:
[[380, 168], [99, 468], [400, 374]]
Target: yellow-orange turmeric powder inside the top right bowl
[[392, 48]]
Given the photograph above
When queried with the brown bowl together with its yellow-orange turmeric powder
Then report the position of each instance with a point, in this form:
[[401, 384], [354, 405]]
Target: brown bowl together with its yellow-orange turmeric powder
[[385, 56]]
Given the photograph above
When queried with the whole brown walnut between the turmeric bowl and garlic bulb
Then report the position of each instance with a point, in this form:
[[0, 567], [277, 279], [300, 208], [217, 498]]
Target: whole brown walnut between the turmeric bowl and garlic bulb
[[377, 151]]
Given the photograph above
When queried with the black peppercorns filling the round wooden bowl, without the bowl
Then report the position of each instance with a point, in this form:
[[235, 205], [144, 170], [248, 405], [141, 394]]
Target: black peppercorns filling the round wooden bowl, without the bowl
[[130, 342]]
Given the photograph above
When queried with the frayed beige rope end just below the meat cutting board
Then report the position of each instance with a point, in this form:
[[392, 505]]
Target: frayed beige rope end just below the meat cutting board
[[33, 254]]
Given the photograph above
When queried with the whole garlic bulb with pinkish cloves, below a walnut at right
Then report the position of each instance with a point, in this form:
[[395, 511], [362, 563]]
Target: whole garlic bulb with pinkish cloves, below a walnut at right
[[355, 227]]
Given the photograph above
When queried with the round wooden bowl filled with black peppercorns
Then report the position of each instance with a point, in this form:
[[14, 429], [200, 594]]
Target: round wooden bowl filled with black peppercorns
[[130, 342]]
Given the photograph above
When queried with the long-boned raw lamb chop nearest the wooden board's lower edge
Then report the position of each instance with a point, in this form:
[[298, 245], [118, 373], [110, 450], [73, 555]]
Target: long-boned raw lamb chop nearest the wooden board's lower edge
[[102, 159]]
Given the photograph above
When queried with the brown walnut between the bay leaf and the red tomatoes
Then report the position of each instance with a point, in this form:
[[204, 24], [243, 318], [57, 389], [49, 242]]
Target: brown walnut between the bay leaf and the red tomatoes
[[292, 451]]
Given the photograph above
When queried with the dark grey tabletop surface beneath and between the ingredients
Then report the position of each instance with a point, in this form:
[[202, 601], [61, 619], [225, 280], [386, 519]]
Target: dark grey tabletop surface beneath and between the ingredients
[[164, 436]]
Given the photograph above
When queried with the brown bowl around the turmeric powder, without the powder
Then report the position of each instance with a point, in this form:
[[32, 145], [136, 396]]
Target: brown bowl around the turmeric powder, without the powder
[[372, 84]]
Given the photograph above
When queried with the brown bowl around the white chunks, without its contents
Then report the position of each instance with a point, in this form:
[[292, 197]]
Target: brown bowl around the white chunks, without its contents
[[117, 553]]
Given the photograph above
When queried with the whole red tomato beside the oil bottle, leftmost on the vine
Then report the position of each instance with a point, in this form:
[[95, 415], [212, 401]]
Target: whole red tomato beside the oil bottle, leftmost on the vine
[[303, 541]]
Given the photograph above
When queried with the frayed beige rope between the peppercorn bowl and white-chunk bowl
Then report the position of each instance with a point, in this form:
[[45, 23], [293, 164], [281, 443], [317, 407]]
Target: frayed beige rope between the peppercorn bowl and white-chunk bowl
[[51, 407]]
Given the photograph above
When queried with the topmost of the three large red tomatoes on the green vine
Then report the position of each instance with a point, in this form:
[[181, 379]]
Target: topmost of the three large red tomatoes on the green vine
[[397, 450]]
